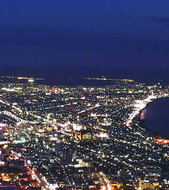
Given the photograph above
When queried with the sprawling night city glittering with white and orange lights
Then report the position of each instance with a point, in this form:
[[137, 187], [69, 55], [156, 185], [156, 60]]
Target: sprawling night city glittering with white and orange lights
[[60, 137]]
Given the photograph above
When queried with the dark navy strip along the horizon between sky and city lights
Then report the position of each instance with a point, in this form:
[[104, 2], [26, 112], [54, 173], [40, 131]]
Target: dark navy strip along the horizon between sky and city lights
[[74, 75]]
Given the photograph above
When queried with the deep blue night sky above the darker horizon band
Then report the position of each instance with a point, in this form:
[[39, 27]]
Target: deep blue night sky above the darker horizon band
[[51, 33]]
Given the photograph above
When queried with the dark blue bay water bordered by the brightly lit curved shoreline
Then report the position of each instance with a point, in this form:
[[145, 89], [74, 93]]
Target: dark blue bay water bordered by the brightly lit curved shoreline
[[157, 117]]
